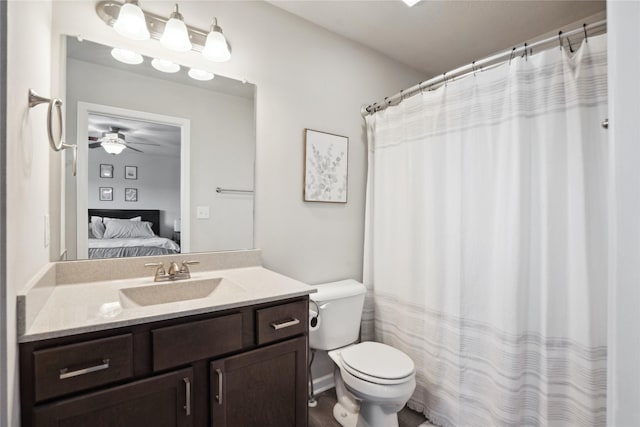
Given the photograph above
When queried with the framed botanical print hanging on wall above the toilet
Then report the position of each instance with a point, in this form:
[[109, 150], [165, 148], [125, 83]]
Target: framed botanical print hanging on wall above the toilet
[[325, 167]]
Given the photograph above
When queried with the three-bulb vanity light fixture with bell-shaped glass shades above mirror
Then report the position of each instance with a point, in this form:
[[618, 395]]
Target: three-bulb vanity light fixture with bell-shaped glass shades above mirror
[[173, 33]]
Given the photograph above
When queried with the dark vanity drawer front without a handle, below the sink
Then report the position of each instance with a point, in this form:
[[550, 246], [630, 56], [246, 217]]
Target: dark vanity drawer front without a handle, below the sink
[[182, 344]]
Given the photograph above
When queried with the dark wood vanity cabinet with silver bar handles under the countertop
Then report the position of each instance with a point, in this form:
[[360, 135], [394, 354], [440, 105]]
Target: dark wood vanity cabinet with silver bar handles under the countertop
[[242, 367]]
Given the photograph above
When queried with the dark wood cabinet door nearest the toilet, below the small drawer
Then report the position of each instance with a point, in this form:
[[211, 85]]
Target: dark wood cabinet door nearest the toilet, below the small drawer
[[266, 387]]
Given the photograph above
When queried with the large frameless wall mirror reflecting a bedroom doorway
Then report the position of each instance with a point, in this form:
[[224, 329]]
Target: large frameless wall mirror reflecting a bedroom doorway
[[185, 166]]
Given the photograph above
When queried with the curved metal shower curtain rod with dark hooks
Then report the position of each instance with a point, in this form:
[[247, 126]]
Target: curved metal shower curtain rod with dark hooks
[[481, 65]]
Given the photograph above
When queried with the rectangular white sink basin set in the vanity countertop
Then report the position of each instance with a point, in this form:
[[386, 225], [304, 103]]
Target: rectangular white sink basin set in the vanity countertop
[[168, 292]]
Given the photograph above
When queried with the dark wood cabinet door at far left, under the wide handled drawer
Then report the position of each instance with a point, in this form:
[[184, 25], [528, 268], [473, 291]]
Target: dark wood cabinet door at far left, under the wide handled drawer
[[163, 400]]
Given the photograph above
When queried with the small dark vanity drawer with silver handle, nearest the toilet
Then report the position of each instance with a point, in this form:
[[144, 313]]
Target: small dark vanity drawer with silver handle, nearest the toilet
[[281, 321]]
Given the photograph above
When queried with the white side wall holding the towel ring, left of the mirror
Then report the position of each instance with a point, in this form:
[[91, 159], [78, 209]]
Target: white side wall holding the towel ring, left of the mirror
[[29, 65]]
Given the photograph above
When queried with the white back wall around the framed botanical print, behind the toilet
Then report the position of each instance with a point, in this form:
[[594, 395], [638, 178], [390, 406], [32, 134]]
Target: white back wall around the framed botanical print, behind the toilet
[[306, 77]]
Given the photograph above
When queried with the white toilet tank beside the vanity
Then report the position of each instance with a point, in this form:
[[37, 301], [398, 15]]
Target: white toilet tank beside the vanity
[[340, 311]]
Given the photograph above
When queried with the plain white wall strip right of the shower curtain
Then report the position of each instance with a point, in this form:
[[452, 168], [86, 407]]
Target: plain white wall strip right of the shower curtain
[[623, 394]]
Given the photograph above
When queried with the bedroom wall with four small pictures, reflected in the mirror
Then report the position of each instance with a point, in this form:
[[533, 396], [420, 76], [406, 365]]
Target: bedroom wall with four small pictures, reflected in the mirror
[[158, 184]]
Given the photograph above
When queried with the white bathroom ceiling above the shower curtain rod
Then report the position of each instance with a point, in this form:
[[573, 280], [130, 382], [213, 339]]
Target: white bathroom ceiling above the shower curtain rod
[[434, 37]]
